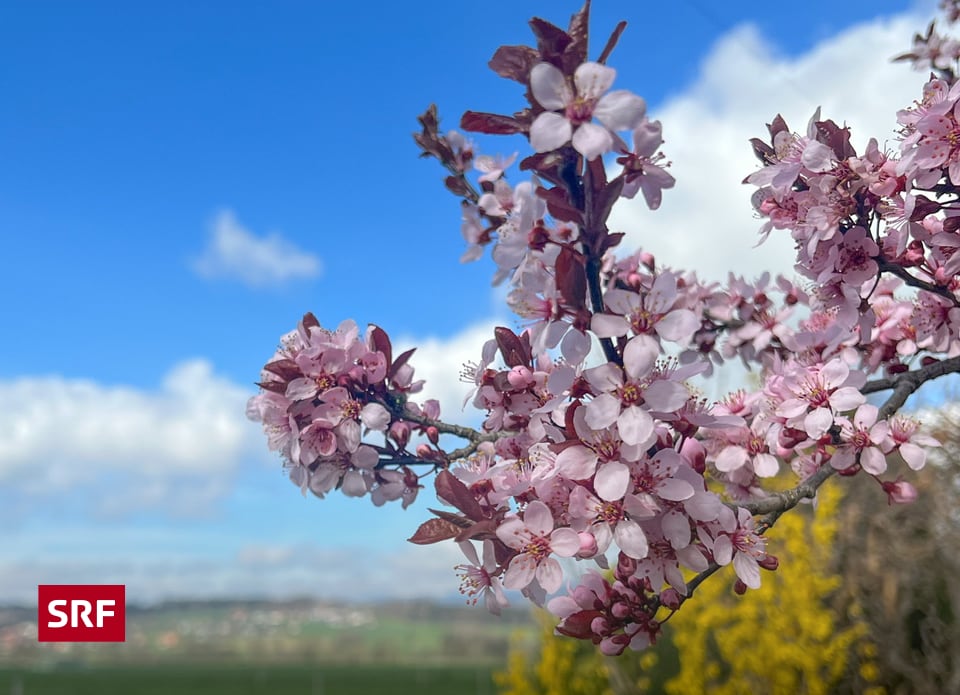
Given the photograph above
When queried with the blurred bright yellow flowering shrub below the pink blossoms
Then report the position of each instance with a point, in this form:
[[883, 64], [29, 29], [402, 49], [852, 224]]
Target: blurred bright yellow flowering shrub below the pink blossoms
[[782, 638]]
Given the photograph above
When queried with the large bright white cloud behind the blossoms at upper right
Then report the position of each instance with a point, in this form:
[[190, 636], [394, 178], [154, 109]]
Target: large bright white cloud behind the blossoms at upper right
[[706, 223]]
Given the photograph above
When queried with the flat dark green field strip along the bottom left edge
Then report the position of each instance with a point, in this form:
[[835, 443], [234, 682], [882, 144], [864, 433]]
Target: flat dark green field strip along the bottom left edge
[[266, 680]]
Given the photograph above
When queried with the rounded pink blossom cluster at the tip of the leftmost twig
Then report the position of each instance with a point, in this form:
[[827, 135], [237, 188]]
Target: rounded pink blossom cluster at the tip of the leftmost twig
[[321, 391]]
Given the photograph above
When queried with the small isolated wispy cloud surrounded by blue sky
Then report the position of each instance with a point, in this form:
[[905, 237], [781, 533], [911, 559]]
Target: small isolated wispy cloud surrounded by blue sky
[[235, 252]]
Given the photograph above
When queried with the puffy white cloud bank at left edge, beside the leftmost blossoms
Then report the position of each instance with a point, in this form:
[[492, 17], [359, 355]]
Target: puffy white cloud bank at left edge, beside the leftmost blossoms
[[172, 447]]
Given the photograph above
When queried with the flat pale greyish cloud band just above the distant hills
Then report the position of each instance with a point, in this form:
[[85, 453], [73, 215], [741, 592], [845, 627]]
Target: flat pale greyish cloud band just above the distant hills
[[274, 571]]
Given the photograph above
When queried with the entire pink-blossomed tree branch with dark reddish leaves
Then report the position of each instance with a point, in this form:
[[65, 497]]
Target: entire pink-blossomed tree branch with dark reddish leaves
[[595, 446]]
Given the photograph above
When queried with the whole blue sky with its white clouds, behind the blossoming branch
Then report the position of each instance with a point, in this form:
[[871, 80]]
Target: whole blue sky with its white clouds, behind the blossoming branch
[[183, 180]]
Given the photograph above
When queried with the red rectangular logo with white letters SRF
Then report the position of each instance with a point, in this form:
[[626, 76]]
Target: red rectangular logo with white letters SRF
[[81, 613]]
